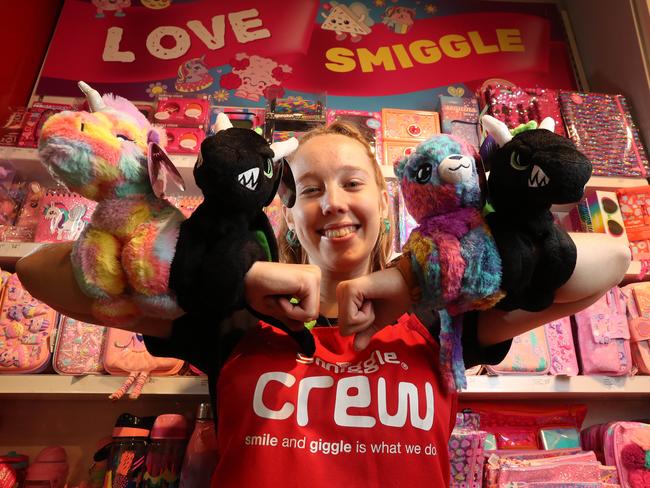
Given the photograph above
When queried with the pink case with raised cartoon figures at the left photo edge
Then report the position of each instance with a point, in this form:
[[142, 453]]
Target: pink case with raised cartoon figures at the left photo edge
[[26, 330]]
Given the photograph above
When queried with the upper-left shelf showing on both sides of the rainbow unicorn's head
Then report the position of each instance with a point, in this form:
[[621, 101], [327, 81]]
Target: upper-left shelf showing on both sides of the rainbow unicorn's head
[[29, 167]]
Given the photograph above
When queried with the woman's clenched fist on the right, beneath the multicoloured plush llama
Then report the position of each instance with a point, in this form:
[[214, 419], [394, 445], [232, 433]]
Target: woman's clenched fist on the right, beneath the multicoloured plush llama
[[370, 303]]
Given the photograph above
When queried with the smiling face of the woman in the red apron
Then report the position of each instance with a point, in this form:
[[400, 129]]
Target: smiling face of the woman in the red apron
[[340, 206]]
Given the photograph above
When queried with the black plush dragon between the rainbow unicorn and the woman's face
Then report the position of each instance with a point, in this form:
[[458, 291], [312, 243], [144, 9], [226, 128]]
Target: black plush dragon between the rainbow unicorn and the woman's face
[[222, 238]]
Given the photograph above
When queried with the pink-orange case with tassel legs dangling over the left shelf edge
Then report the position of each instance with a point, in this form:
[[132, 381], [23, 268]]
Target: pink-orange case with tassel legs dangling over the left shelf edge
[[126, 354]]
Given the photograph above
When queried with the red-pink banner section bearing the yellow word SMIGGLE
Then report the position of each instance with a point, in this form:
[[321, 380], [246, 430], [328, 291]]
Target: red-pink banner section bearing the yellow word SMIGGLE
[[437, 51]]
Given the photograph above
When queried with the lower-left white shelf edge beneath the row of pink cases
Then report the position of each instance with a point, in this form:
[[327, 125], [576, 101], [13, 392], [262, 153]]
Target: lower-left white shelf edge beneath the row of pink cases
[[92, 385]]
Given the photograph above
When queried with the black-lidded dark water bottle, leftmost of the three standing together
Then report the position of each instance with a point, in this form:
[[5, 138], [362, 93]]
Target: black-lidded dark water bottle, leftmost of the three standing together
[[128, 451]]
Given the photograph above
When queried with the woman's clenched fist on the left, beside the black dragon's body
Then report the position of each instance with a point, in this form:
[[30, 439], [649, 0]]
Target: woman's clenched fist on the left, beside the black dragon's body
[[270, 286]]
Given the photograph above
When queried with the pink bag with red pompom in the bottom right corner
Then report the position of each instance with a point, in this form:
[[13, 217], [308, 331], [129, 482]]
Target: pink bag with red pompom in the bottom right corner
[[627, 446]]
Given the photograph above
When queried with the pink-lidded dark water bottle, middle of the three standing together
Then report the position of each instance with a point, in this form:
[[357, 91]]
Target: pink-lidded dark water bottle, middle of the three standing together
[[166, 451]]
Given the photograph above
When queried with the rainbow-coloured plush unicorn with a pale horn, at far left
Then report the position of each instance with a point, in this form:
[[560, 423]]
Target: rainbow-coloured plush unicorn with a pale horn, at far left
[[122, 258]]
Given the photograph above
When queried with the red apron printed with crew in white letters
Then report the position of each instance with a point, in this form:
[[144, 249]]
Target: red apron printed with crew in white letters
[[378, 417]]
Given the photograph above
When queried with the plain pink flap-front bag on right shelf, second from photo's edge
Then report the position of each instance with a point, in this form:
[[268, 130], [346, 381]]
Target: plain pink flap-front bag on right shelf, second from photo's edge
[[603, 336]]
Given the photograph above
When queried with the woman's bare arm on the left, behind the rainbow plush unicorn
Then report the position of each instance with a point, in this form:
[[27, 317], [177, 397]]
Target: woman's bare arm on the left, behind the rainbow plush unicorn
[[47, 275]]
